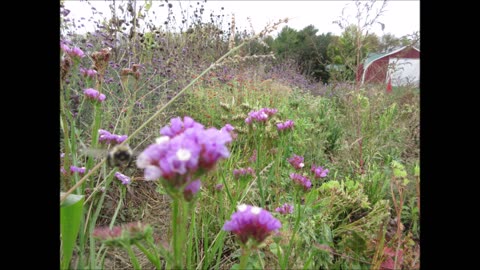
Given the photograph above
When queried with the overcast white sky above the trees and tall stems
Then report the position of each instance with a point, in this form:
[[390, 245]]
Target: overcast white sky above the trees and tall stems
[[400, 18]]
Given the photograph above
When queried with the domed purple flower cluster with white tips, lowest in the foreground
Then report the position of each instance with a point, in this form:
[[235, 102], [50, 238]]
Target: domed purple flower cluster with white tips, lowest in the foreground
[[252, 222]]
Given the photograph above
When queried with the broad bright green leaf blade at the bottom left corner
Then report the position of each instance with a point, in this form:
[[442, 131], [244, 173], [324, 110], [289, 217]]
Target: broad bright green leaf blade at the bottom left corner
[[71, 211]]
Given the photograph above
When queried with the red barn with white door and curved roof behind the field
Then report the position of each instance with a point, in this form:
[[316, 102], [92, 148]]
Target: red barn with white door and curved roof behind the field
[[402, 66]]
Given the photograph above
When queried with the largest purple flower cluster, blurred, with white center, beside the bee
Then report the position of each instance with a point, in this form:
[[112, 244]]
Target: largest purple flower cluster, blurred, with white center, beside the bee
[[185, 149]]
